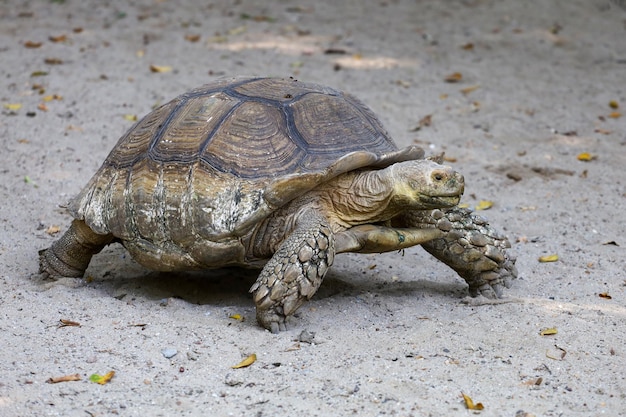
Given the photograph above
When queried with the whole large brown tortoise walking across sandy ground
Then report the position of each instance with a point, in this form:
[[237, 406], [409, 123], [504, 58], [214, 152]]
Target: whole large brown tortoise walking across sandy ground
[[276, 174]]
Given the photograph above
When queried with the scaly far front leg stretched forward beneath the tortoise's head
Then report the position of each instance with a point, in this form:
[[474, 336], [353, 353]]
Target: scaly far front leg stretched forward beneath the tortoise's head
[[470, 246]]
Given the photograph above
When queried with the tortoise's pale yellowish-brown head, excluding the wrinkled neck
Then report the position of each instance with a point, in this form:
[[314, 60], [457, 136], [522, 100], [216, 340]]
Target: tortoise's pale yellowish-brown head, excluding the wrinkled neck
[[424, 184]]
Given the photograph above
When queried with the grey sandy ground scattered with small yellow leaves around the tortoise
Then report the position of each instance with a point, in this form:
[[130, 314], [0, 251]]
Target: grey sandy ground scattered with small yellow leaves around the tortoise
[[539, 83]]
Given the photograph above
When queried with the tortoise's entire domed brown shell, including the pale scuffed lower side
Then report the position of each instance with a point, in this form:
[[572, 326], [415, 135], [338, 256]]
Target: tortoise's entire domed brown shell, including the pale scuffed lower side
[[214, 161]]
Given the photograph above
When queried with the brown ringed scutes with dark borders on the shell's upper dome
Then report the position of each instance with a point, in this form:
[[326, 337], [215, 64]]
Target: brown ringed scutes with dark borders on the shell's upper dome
[[254, 128]]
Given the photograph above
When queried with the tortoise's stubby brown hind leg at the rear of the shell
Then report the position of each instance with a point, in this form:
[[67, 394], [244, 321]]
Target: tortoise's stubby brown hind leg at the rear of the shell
[[70, 255]]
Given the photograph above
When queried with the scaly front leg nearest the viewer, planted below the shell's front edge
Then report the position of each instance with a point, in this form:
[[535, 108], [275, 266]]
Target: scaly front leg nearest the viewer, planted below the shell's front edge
[[295, 272]]
